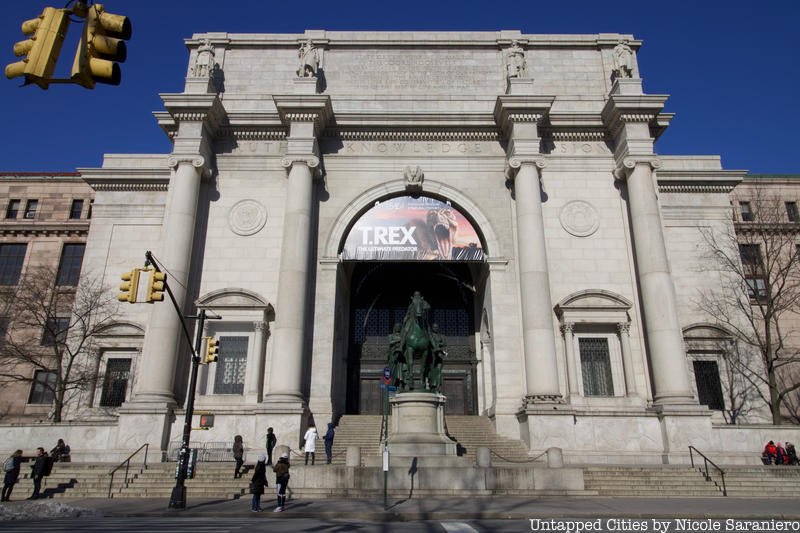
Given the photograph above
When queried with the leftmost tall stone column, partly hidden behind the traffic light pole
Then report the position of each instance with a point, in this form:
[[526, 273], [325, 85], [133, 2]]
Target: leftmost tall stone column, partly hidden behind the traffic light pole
[[160, 351]]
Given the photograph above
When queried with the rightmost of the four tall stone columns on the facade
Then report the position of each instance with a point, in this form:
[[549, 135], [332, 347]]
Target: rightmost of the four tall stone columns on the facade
[[664, 337]]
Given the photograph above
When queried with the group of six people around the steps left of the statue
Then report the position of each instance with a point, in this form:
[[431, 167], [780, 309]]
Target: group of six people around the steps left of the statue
[[281, 468]]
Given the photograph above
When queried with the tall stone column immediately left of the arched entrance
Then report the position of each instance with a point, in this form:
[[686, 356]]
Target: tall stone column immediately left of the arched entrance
[[285, 382]]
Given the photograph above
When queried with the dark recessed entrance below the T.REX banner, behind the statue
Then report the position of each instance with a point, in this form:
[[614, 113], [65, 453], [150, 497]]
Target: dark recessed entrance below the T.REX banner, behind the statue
[[380, 294]]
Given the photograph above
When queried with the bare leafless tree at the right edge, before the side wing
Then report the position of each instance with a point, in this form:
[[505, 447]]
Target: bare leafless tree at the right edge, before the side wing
[[758, 268]]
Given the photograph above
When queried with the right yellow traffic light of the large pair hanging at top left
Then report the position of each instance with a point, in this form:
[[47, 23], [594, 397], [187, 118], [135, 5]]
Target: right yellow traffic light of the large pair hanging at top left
[[101, 45]]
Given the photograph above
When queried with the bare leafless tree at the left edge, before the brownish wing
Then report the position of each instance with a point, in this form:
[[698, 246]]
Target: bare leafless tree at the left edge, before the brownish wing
[[51, 333]]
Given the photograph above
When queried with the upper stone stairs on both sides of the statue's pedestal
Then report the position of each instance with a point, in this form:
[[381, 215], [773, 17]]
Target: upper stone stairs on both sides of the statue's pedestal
[[469, 433]]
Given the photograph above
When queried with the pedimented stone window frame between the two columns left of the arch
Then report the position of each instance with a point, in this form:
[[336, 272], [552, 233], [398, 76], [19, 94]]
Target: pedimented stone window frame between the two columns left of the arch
[[247, 314]]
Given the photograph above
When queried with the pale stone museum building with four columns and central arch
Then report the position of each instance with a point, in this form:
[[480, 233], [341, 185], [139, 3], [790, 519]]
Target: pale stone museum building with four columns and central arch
[[318, 180]]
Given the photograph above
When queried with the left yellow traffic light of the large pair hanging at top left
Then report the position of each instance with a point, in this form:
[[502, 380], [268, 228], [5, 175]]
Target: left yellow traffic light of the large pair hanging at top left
[[48, 31]]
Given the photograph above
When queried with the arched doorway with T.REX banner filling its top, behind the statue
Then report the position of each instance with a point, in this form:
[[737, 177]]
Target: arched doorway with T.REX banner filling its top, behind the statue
[[399, 246]]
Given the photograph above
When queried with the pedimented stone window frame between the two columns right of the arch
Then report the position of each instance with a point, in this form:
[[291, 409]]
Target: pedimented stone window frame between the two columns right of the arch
[[598, 313]]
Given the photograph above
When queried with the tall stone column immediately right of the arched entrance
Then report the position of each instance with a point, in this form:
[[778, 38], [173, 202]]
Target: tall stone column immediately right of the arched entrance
[[541, 370]]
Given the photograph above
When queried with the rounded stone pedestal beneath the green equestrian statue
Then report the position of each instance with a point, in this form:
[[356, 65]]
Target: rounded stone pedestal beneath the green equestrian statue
[[418, 425]]
